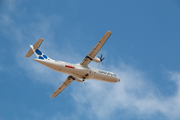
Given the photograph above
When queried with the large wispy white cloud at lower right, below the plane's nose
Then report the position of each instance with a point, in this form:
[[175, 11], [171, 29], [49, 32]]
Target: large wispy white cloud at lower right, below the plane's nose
[[134, 93]]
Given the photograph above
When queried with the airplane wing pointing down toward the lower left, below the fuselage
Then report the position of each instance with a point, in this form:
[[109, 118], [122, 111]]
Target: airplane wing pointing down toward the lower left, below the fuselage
[[67, 82]]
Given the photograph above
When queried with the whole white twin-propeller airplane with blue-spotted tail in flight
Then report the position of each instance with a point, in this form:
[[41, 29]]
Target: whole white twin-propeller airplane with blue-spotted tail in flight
[[77, 72]]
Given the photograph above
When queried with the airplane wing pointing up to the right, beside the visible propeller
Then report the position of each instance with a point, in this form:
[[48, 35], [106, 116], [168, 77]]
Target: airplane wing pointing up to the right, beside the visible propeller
[[96, 49]]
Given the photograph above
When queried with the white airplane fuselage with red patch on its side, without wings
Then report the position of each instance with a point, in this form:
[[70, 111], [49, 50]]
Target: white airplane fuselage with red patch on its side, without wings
[[79, 71]]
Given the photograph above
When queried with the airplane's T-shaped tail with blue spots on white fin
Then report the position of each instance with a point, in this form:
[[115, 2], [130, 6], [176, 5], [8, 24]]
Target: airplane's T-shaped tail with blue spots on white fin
[[35, 49]]
